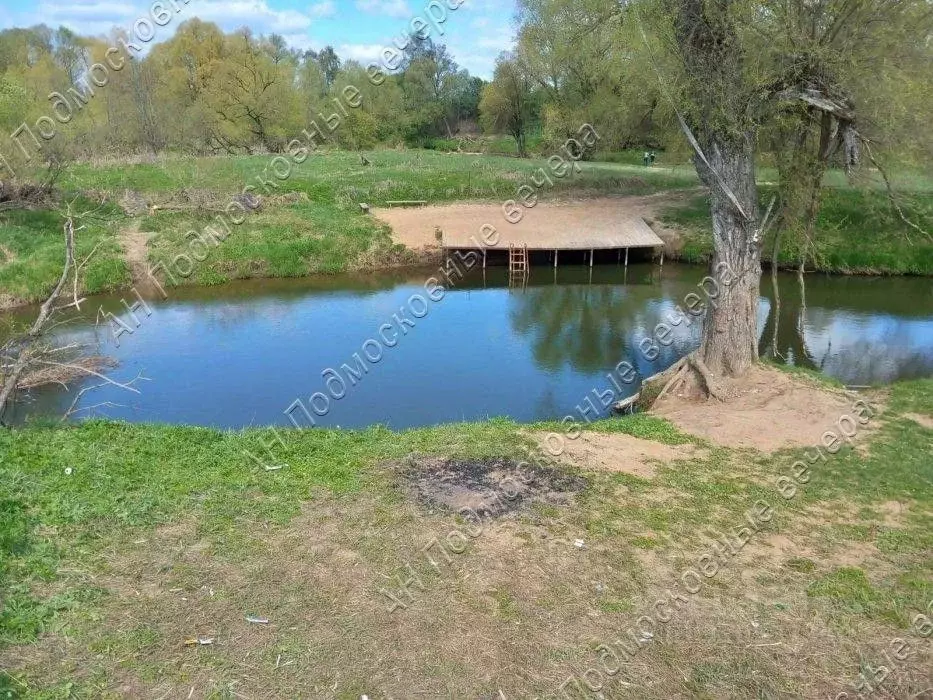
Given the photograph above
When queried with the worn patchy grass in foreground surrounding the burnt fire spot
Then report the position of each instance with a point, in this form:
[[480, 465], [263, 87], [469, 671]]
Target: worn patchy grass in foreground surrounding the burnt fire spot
[[121, 542]]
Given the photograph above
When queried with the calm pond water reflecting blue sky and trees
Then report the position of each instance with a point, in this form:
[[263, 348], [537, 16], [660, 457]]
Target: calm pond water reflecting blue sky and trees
[[241, 354]]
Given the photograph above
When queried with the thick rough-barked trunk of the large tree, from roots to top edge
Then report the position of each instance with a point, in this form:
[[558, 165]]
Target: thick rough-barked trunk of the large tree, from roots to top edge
[[720, 126]]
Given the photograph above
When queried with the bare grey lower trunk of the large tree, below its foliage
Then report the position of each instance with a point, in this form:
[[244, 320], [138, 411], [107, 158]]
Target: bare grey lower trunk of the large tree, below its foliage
[[730, 328]]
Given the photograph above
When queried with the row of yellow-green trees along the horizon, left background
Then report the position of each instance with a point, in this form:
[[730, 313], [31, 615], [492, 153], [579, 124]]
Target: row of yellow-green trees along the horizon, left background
[[206, 91]]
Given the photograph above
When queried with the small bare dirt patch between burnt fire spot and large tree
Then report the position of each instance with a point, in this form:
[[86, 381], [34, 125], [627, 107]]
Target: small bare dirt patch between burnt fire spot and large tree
[[623, 453]]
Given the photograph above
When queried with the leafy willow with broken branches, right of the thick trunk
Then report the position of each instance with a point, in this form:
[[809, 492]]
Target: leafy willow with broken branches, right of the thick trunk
[[850, 77]]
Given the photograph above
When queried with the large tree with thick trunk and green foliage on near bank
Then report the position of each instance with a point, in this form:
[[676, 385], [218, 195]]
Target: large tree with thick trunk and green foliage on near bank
[[732, 69]]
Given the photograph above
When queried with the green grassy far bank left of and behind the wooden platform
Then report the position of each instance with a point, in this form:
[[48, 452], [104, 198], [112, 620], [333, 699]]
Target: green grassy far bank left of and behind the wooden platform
[[312, 223]]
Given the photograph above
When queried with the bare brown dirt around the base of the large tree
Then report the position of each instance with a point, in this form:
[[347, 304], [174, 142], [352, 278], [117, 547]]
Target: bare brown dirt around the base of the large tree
[[766, 410]]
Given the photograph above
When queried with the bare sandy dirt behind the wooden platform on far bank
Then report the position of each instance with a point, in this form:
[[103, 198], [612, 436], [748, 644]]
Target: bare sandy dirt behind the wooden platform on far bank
[[416, 228]]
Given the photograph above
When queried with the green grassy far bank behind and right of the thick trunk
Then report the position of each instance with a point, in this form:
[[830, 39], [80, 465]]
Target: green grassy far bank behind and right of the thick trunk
[[858, 232]]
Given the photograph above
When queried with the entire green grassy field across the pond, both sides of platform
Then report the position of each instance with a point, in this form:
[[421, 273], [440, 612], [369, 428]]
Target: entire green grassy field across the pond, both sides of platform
[[313, 223]]
